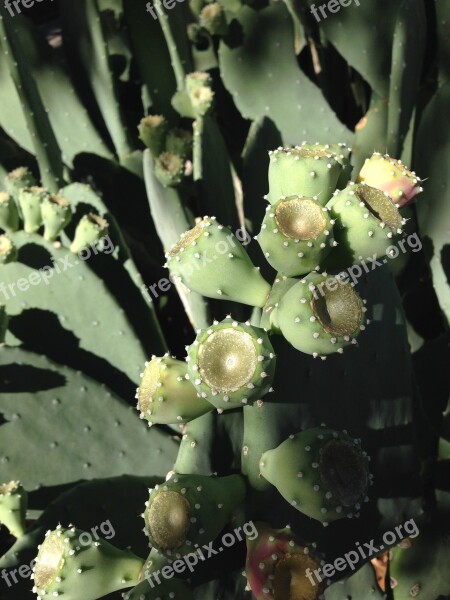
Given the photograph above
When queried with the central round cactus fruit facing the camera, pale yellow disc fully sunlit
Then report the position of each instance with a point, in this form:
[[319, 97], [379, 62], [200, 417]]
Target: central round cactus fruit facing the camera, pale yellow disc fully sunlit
[[231, 364]]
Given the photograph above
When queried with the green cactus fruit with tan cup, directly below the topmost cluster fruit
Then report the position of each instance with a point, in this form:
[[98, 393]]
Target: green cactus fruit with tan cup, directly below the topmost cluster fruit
[[296, 235]]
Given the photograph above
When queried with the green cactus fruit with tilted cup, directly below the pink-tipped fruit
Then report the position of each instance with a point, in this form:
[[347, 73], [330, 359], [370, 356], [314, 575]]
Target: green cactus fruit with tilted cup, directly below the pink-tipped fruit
[[367, 222]]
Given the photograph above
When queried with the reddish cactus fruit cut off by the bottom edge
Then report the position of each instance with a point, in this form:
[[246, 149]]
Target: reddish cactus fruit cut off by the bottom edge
[[280, 565]]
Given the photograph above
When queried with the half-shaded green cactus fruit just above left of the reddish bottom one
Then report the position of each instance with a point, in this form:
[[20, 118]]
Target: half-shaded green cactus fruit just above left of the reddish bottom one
[[190, 510]]
